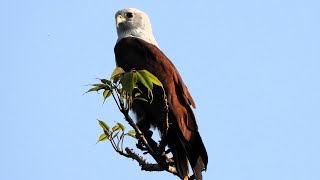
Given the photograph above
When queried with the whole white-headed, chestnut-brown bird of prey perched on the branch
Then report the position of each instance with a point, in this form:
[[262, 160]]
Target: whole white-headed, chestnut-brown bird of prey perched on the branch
[[136, 48]]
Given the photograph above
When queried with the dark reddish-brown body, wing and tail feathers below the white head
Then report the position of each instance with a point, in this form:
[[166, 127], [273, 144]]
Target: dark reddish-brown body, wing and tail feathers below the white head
[[183, 136]]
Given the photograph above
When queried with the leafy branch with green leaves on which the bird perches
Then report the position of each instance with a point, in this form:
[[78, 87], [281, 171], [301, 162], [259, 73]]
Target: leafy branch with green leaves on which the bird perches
[[157, 151]]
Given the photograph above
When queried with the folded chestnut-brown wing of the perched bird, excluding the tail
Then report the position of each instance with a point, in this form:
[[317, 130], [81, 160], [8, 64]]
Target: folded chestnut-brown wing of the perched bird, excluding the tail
[[143, 55]]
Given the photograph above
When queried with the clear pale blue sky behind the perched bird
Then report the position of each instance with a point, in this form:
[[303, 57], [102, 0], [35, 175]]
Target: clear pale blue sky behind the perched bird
[[252, 67]]
